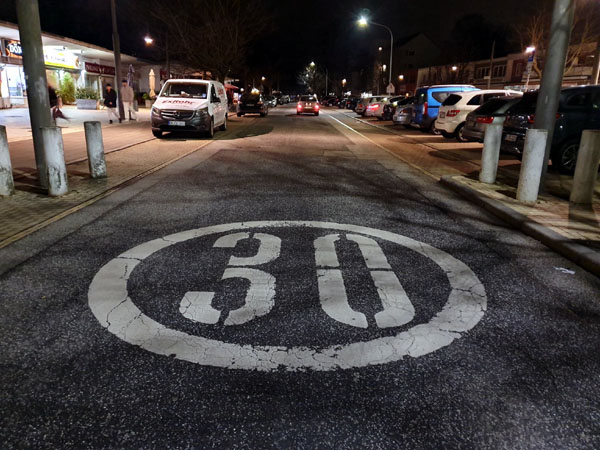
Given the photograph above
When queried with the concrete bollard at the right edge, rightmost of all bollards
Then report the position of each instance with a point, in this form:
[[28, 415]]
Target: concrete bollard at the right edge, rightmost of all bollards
[[586, 170]]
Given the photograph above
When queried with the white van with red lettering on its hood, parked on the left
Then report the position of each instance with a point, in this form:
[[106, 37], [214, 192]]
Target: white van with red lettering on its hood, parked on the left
[[190, 105]]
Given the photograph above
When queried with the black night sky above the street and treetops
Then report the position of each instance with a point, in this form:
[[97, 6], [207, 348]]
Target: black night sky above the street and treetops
[[321, 30]]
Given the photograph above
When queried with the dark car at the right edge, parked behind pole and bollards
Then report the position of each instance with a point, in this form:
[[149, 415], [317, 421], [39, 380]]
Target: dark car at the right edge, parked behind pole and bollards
[[578, 110]]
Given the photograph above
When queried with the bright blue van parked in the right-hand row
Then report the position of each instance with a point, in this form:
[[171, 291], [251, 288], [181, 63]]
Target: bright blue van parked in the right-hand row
[[428, 100]]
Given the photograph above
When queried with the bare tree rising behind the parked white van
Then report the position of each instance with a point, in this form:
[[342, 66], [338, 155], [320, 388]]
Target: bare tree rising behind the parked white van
[[214, 35]]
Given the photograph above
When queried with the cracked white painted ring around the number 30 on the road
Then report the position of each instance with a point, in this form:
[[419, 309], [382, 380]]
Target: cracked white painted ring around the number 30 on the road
[[109, 301]]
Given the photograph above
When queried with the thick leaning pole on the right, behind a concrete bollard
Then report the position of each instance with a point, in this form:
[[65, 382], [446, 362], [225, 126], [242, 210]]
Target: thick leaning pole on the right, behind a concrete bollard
[[554, 67]]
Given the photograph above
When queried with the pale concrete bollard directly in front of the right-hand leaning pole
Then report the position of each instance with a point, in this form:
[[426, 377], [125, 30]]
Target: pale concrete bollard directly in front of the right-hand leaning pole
[[534, 159]]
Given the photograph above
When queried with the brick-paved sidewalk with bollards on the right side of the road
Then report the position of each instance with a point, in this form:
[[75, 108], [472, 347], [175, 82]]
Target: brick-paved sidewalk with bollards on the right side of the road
[[569, 229]]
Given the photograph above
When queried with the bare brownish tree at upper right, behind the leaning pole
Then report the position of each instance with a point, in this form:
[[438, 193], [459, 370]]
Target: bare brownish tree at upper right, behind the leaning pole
[[535, 31]]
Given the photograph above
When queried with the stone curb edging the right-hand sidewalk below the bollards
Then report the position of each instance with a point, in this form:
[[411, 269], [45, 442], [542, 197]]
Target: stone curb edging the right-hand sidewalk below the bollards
[[583, 256]]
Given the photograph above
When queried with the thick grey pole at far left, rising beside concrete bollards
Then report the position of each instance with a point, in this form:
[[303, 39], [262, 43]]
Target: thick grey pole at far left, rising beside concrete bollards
[[30, 34]]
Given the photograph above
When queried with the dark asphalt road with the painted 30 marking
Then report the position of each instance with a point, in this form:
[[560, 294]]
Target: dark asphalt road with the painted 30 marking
[[292, 285]]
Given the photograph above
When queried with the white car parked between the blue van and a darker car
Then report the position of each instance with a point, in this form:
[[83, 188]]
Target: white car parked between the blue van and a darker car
[[452, 115]]
